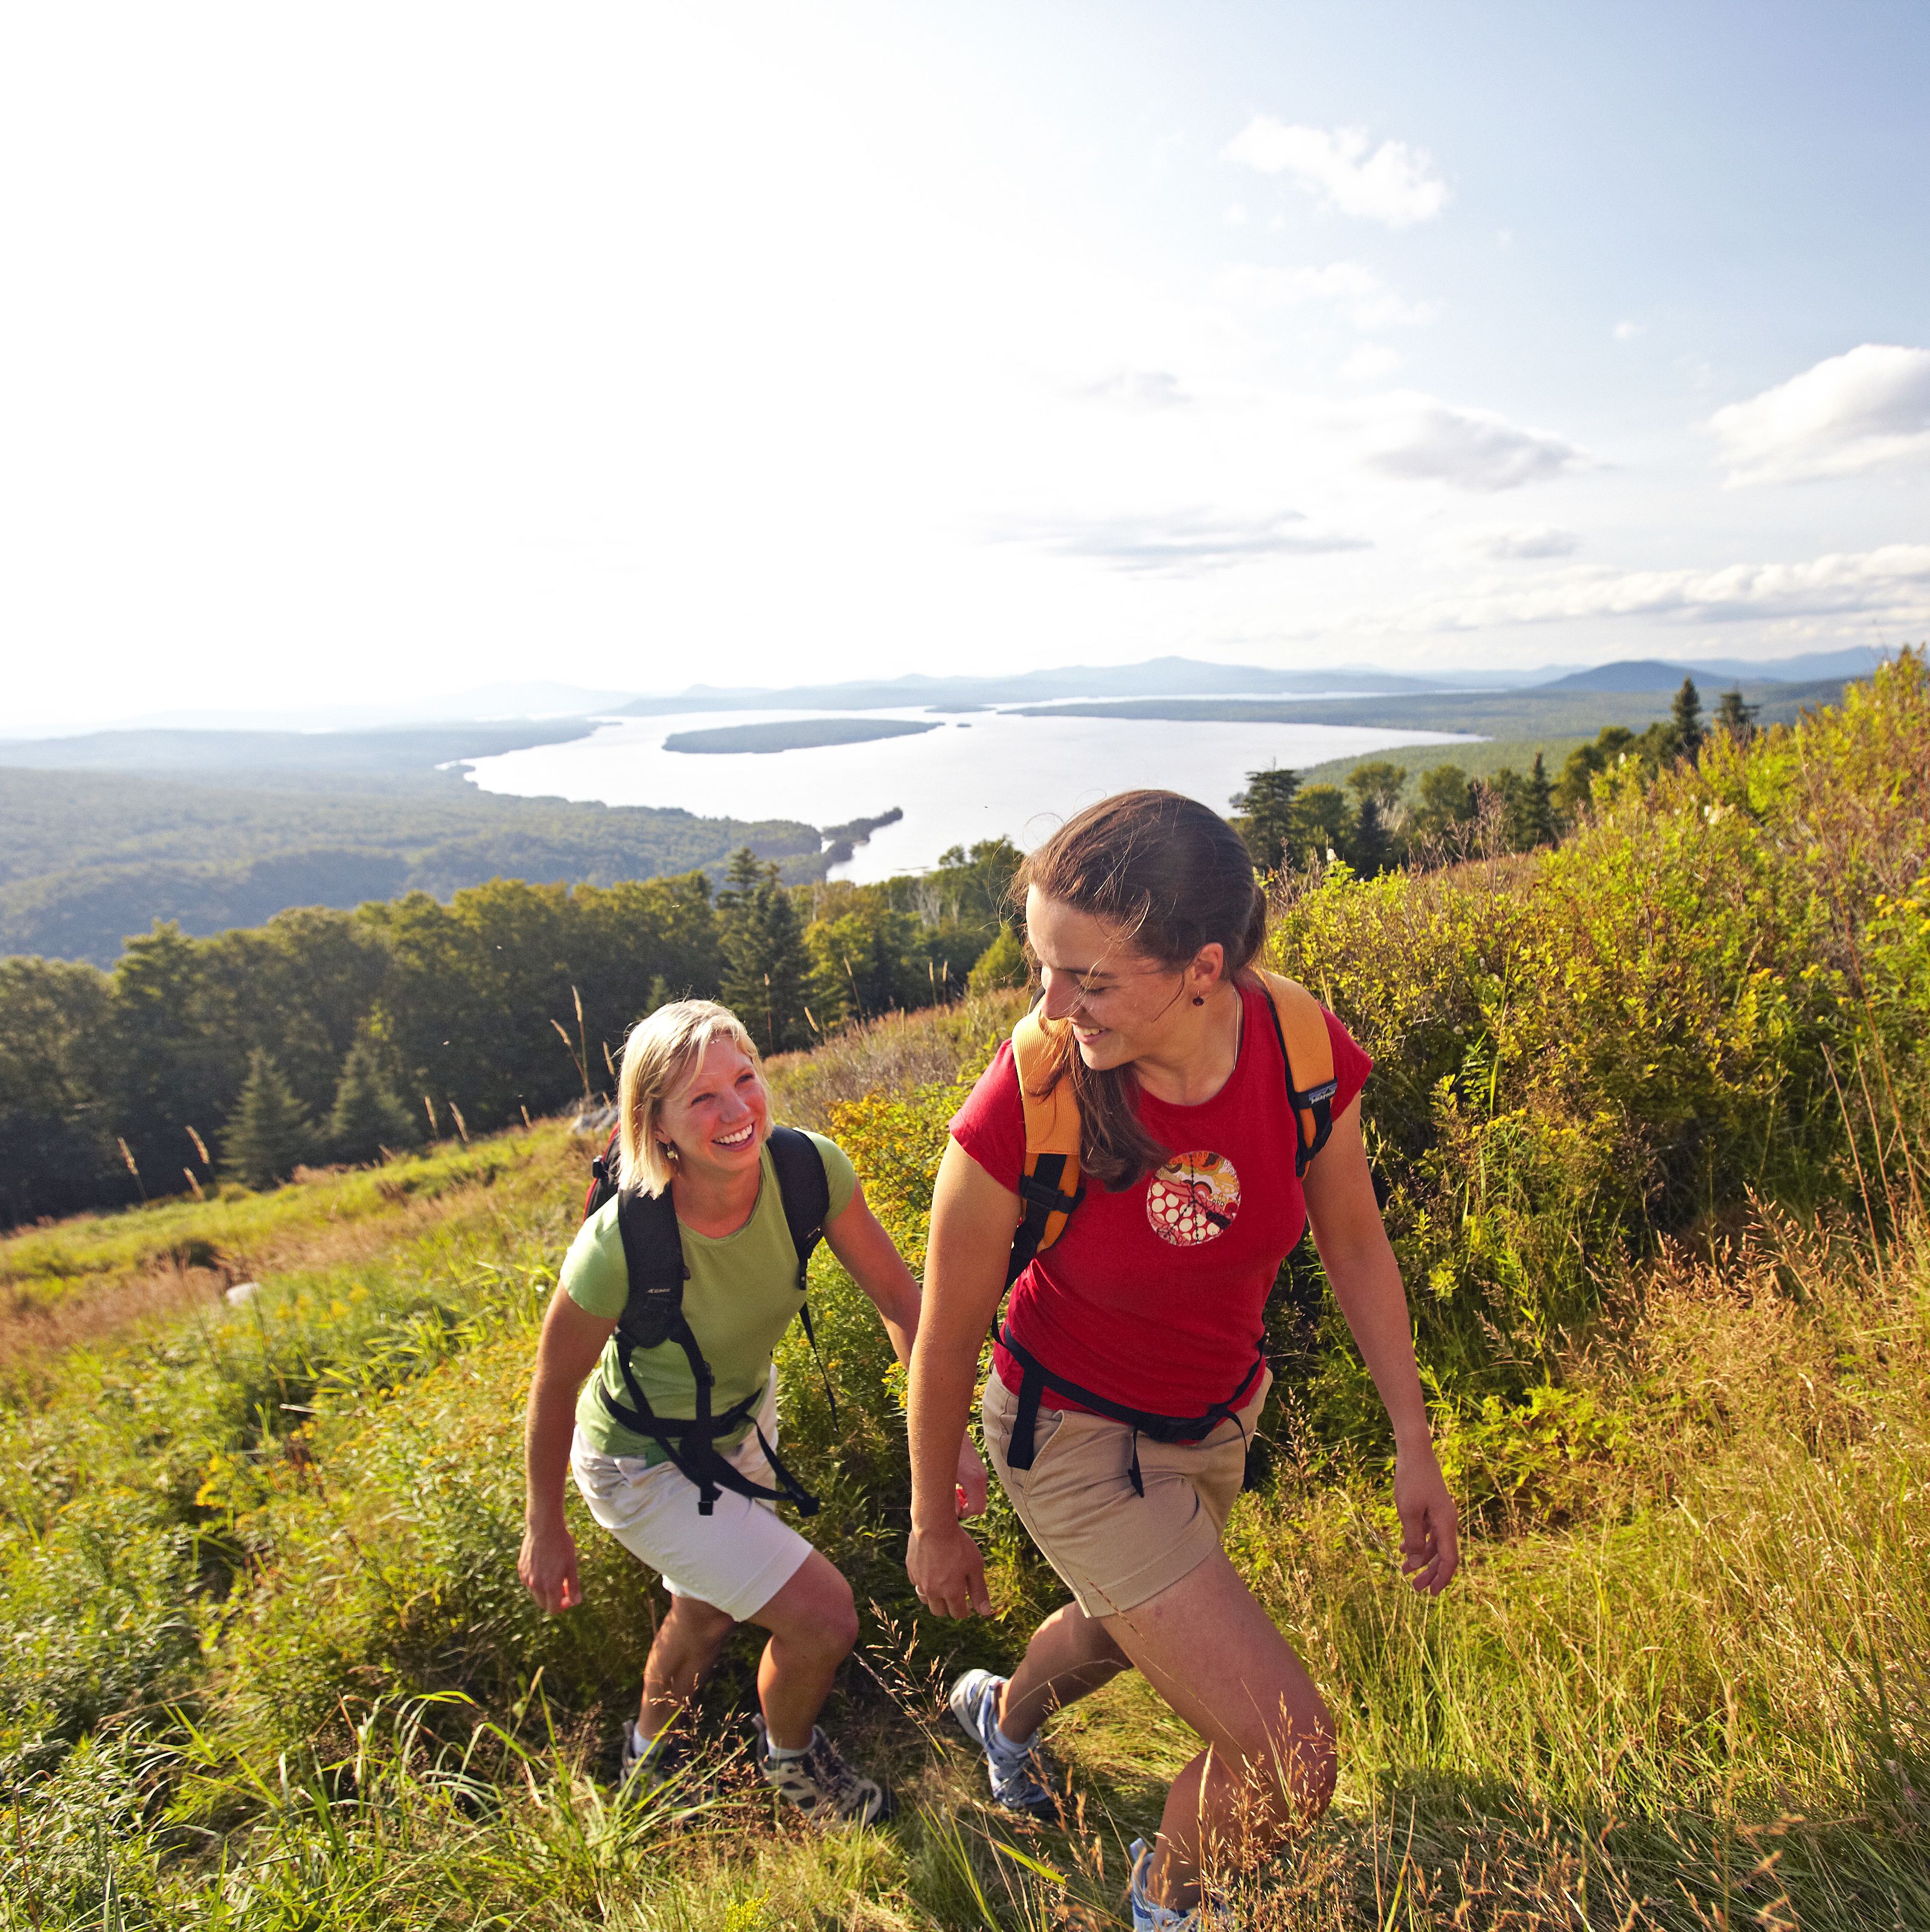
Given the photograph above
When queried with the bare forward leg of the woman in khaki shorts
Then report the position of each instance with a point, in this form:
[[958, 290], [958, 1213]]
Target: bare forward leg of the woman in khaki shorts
[[1214, 1655]]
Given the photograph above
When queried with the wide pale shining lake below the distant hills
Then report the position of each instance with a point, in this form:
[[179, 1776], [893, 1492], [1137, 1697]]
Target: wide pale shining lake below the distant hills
[[973, 778]]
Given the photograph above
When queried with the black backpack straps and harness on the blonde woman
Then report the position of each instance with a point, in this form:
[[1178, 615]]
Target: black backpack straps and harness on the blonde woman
[[654, 1257]]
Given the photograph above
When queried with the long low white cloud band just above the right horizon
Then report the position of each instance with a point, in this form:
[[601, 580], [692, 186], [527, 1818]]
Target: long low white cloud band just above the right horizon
[[1888, 582]]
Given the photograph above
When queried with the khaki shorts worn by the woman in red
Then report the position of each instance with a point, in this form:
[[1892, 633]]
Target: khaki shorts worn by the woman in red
[[1112, 1547]]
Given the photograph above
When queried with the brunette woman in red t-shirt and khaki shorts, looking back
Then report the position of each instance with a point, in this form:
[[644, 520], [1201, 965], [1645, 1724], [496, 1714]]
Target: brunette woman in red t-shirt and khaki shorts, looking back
[[1145, 923]]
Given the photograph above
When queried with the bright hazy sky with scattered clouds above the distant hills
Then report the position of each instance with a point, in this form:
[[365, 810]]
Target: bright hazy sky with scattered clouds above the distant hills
[[370, 353]]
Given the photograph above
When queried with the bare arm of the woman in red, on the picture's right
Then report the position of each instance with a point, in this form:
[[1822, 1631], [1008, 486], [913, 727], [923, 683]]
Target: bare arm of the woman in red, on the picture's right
[[1367, 1284]]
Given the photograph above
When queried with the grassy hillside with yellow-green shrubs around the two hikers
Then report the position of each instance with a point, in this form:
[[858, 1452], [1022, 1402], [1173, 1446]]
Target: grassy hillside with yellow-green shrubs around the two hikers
[[260, 1634]]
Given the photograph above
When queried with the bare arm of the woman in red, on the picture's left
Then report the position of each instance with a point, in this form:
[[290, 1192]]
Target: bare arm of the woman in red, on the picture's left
[[973, 1224]]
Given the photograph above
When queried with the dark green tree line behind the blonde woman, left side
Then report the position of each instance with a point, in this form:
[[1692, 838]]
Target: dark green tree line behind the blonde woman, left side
[[333, 1037]]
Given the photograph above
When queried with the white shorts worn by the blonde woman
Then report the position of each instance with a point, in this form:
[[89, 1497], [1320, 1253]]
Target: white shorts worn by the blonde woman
[[737, 1558]]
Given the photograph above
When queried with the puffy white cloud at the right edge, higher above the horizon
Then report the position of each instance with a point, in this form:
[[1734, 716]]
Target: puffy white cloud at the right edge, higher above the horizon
[[1850, 412]]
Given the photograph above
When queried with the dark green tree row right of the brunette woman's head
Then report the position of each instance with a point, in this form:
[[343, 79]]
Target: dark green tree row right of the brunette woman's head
[[1373, 824]]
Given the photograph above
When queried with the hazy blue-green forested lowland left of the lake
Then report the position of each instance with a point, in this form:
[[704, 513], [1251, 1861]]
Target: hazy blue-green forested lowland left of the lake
[[213, 830]]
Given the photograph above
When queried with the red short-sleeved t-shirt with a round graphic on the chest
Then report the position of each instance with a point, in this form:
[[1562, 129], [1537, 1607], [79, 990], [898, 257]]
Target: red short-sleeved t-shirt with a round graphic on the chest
[[1154, 1297]]
